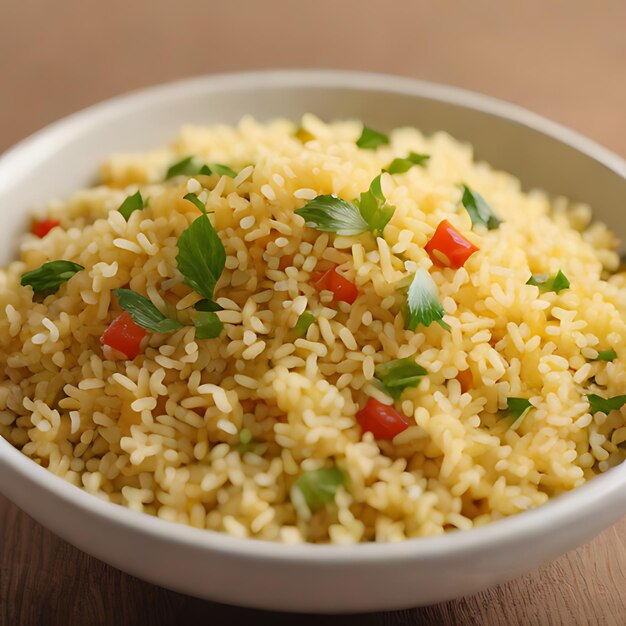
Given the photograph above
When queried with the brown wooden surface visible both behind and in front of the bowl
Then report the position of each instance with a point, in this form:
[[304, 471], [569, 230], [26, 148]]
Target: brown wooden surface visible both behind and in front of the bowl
[[565, 59]]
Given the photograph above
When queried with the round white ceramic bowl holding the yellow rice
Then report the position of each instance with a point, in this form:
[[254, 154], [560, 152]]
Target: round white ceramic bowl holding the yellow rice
[[64, 157]]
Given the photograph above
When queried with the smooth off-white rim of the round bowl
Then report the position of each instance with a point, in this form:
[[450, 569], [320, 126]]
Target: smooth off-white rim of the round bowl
[[553, 516]]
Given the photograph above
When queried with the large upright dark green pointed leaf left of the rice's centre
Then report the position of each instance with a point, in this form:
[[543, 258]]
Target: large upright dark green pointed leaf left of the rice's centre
[[201, 256]]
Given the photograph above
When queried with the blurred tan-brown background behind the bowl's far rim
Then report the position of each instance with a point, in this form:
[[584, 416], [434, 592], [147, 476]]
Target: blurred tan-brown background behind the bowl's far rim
[[565, 59]]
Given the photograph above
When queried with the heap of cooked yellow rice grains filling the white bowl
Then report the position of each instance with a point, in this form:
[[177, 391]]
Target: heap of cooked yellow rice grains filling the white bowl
[[161, 434]]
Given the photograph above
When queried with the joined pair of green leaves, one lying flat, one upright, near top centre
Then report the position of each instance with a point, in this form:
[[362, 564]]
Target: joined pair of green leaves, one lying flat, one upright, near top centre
[[334, 215]]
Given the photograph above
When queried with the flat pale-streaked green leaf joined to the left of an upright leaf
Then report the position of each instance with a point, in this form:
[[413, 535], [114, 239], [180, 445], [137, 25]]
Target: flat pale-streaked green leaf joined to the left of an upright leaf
[[330, 214]]
